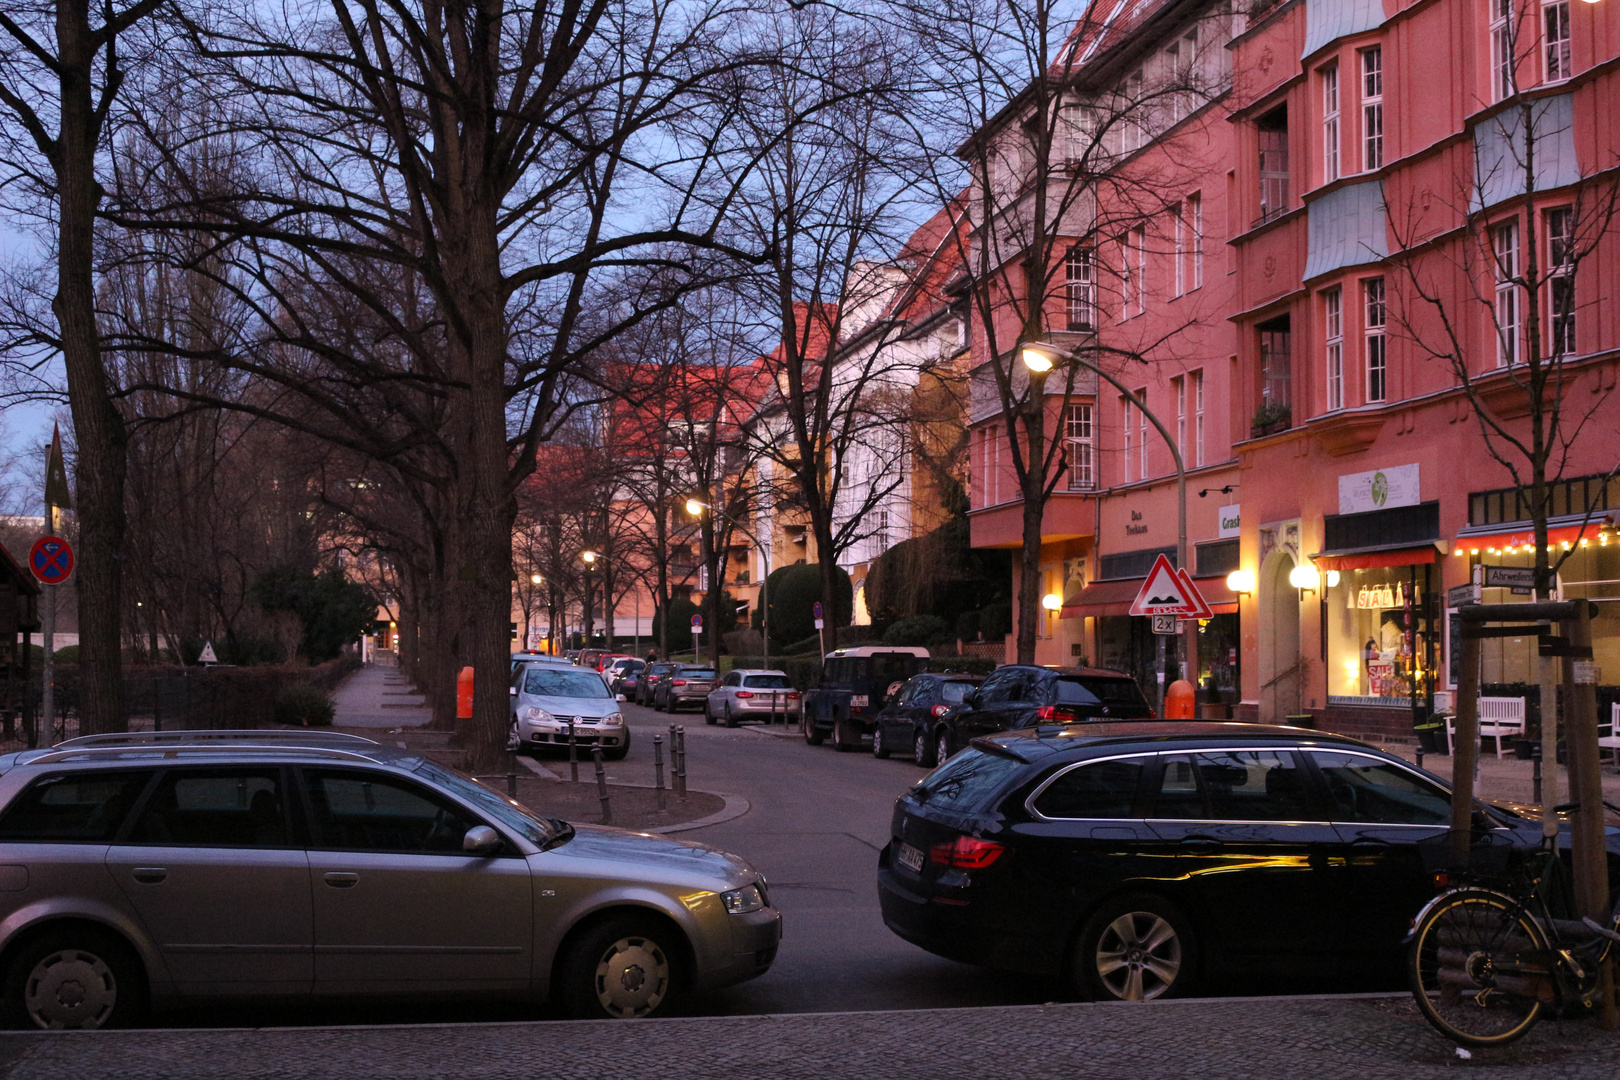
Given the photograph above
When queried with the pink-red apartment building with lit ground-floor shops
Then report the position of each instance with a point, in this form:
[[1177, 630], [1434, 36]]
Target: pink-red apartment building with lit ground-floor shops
[[1405, 211]]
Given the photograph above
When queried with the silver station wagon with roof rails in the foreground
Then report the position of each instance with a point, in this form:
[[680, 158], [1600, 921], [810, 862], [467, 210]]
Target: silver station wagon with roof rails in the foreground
[[155, 869]]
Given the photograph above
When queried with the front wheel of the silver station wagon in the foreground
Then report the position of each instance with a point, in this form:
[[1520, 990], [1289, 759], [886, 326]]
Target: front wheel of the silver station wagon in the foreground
[[621, 969]]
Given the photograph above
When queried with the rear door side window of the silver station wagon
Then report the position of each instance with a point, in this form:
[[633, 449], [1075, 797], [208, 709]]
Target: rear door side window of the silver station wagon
[[215, 809]]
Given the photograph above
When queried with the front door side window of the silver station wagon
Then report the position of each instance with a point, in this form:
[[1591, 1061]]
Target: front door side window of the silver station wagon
[[373, 812]]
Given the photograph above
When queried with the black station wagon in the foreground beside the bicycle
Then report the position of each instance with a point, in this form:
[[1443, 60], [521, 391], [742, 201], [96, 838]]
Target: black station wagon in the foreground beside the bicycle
[[1138, 859]]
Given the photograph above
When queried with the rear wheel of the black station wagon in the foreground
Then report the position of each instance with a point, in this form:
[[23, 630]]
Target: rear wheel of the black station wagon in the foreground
[[1136, 948]]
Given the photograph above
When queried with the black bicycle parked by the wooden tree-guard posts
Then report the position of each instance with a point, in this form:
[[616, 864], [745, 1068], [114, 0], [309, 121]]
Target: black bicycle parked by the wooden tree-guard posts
[[1490, 956]]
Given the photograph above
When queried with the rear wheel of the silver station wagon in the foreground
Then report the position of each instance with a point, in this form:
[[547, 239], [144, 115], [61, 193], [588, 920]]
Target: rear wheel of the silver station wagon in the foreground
[[79, 979]]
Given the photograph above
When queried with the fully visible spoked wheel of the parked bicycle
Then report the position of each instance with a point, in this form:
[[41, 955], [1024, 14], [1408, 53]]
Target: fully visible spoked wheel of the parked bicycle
[[1478, 969]]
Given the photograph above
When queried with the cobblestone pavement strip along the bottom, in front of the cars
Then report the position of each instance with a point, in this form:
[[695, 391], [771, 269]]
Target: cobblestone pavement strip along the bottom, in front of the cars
[[1274, 1039]]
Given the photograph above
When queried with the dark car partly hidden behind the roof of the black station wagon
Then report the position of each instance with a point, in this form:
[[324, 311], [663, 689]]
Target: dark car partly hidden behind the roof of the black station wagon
[[1021, 695]]
